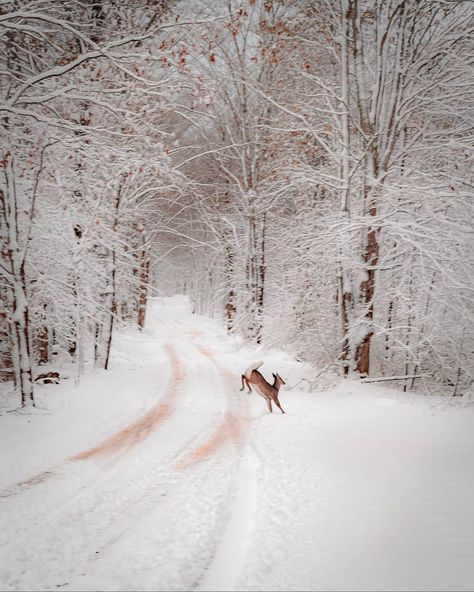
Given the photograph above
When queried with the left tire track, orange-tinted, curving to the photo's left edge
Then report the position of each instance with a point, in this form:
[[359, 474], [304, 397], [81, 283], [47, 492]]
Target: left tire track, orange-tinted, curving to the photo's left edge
[[125, 438]]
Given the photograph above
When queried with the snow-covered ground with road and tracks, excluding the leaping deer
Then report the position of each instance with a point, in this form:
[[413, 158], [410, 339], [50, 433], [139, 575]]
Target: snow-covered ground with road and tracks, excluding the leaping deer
[[161, 475]]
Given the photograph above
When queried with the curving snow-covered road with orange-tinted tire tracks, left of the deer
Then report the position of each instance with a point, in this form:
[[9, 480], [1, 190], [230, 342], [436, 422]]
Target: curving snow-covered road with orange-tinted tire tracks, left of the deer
[[175, 466]]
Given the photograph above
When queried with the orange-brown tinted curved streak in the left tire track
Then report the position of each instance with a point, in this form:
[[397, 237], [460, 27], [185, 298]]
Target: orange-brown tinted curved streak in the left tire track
[[138, 430]]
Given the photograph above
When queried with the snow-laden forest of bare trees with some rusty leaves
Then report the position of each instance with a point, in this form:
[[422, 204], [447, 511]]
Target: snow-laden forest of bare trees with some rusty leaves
[[301, 169]]
